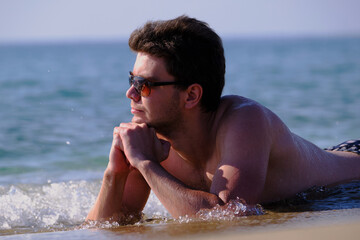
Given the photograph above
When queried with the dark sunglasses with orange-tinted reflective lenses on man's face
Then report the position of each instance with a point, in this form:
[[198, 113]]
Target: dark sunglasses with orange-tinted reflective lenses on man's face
[[143, 86]]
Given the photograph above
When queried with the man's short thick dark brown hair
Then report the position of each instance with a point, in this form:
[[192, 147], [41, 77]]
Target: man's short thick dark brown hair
[[192, 51]]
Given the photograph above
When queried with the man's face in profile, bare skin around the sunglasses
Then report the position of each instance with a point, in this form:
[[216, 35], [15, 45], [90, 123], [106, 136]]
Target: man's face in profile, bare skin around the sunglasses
[[161, 109]]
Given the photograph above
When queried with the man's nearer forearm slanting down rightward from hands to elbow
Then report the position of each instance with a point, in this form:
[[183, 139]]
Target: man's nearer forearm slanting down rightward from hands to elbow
[[177, 198]]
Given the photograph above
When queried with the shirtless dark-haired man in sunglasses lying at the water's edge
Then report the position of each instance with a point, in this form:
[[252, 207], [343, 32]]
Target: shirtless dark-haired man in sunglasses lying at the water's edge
[[195, 149]]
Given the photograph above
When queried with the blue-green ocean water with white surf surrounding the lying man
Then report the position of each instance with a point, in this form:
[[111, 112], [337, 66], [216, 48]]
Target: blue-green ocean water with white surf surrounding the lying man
[[60, 102]]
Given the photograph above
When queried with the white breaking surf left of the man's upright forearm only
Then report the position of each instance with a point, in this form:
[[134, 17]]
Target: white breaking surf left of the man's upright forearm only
[[46, 207]]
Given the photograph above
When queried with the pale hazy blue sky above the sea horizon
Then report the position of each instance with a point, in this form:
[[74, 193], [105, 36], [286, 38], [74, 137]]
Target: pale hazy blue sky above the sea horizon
[[77, 20]]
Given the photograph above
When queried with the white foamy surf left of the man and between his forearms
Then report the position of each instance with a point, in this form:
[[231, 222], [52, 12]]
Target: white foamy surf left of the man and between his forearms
[[58, 206]]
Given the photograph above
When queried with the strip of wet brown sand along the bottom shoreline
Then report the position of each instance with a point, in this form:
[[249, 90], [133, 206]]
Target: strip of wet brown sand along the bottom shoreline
[[333, 224]]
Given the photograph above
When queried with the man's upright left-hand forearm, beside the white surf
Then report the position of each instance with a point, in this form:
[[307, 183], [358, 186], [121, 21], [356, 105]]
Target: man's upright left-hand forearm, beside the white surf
[[109, 201]]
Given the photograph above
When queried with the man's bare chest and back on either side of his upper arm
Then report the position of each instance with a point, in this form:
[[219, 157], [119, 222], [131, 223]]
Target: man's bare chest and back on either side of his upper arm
[[294, 164]]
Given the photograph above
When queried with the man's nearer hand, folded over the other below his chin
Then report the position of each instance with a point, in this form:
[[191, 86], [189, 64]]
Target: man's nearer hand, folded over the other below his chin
[[139, 143]]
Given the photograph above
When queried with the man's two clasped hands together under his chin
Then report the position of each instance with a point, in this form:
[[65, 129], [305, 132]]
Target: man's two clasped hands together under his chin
[[134, 143]]
